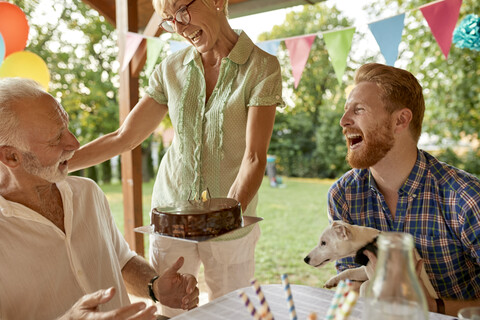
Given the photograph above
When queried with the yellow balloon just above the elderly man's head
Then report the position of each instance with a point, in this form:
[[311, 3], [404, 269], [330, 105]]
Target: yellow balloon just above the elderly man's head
[[25, 64]]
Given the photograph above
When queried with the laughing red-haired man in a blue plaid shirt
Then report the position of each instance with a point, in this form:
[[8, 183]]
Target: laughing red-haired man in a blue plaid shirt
[[394, 186]]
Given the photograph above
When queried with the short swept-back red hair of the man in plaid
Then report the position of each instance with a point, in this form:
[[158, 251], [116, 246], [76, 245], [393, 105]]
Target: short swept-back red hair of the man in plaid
[[399, 89]]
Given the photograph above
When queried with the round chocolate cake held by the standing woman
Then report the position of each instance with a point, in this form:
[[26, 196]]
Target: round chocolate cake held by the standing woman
[[192, 218]]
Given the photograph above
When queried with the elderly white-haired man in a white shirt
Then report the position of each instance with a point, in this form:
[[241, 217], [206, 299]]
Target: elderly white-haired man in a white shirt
[[61, 253]]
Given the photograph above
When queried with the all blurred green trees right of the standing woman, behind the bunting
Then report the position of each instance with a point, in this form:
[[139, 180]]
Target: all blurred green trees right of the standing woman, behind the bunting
[[307, 138]]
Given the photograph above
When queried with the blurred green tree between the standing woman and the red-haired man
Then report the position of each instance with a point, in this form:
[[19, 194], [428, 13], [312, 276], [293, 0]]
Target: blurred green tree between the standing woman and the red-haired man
[[307, 137]]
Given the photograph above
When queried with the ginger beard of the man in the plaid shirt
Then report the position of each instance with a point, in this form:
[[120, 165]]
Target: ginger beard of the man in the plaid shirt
[[376, 144]]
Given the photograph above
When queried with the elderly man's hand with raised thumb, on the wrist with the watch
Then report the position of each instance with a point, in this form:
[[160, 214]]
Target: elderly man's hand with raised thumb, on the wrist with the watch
[[177, 290]]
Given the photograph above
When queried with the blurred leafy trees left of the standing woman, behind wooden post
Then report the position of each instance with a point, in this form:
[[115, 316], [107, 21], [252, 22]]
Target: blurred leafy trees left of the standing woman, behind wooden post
[[80, 49]]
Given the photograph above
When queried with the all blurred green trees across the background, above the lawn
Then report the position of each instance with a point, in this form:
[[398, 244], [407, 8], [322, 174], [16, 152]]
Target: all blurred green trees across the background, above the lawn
[[80, 49]]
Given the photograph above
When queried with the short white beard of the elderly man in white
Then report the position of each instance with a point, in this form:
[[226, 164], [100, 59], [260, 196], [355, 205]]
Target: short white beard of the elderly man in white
[[53, 173]]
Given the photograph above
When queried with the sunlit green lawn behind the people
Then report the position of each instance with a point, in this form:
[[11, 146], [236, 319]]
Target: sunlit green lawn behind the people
[[294, 217]]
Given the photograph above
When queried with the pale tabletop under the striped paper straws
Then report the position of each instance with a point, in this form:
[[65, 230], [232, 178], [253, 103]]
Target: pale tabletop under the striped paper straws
[[306, 299]]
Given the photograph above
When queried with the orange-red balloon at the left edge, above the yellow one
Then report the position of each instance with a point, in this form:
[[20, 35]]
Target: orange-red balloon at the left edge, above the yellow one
[[14, 27]]
